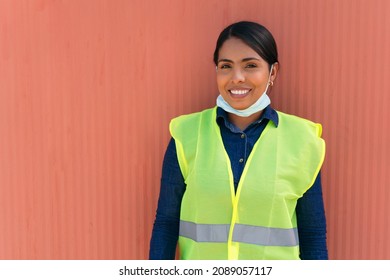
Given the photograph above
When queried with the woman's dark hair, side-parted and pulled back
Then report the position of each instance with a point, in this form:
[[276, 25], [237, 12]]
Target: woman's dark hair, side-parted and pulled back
[[254, 35]]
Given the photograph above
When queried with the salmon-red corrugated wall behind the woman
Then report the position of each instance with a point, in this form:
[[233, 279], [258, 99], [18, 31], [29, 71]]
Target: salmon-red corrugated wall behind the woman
[[87, 89]]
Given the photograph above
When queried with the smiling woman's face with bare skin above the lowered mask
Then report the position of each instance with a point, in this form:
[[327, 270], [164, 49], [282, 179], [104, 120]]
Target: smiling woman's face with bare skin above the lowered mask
[[242, 74]]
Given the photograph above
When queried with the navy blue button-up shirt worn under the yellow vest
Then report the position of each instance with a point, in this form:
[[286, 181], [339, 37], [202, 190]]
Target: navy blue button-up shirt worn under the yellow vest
[[238, 145]]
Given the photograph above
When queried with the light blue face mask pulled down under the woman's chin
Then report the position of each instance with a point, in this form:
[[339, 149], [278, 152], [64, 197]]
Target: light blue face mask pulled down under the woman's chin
[[259, 105]]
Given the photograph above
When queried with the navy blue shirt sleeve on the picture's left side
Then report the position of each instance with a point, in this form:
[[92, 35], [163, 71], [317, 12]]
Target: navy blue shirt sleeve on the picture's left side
[[166, 225]]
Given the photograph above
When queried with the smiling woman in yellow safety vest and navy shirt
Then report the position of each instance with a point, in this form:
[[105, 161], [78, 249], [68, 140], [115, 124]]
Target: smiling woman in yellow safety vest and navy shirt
[[241, 180]]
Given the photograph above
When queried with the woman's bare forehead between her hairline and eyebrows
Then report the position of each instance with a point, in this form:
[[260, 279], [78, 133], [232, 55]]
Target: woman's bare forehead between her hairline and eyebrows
[[236, 49]]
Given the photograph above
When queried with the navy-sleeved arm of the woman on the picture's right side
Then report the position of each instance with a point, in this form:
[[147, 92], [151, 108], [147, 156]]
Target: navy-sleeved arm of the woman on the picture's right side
[[312, 224]]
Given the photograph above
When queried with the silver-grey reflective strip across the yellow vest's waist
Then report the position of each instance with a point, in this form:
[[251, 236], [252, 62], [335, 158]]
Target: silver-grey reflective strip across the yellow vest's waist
[[242, 233]]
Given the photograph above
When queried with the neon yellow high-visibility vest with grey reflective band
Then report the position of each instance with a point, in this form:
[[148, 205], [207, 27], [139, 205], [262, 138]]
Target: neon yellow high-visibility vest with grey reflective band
[[258, 221]]
